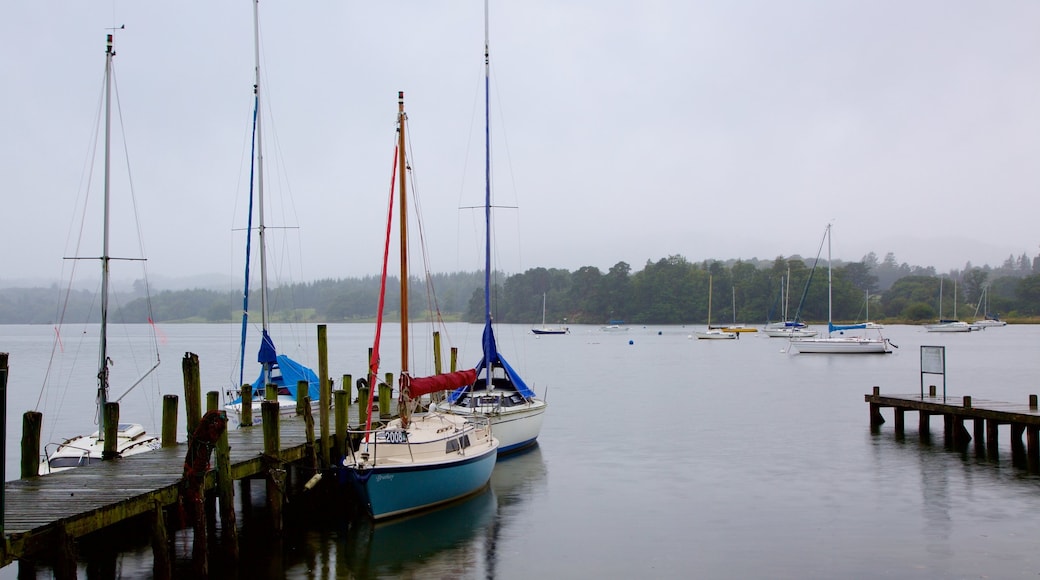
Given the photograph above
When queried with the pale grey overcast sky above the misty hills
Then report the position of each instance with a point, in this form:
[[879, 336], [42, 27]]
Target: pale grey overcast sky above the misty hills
[[623, 130]]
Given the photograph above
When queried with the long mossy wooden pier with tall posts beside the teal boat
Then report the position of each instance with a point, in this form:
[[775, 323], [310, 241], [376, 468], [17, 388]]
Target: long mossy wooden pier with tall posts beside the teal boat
[[45, 516]]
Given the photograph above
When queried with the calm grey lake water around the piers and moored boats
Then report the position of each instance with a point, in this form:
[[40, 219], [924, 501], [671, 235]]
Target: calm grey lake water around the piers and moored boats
[[661, 457]]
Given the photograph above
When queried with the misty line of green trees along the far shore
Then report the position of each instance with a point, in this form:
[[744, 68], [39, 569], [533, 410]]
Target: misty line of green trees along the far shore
[[669, 292]]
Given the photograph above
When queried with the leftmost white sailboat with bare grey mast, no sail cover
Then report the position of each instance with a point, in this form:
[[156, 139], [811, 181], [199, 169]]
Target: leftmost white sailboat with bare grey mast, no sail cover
[[132, 438]]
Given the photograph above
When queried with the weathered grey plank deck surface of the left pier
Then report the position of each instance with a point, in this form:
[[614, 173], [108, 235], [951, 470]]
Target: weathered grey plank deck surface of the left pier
[[43, 513]]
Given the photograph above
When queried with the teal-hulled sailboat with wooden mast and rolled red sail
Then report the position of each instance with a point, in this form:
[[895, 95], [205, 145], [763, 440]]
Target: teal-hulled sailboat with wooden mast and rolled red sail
[[419, 460]]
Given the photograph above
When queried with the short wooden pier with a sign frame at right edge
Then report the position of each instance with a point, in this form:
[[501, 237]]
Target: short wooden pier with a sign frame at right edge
[[986, 417]]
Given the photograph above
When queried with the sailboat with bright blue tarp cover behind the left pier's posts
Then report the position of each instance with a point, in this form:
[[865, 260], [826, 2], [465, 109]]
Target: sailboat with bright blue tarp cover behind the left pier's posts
[[276, 370]]
